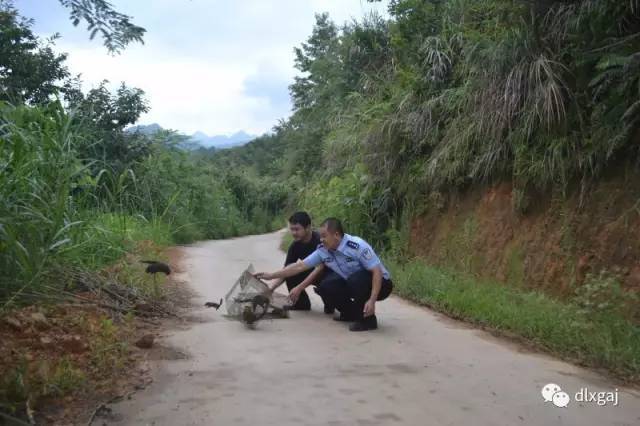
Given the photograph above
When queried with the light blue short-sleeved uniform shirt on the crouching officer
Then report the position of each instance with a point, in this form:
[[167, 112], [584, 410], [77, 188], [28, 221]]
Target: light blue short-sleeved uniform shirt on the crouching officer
[[352, 255]]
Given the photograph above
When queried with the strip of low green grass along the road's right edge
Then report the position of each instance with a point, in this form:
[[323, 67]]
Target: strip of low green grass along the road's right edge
[[600, 339]]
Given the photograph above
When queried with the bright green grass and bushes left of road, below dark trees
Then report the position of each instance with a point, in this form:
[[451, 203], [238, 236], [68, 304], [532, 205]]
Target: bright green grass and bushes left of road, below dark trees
[[55, 209]]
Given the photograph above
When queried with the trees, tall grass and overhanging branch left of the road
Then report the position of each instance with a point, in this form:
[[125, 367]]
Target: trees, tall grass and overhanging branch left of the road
[[76, 188]]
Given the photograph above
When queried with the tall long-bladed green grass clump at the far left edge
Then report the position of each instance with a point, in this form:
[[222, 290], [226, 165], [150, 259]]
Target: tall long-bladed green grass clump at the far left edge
[[38, 167]]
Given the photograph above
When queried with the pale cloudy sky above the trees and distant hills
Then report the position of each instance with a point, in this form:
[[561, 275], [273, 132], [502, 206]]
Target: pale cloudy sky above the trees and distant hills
[[217, 66]]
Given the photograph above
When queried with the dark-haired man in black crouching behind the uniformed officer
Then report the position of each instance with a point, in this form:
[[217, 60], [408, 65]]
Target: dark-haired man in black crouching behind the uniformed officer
[[305, 242]]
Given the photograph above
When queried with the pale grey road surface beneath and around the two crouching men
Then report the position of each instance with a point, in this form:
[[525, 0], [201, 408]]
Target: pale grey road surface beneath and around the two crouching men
[[419, 368]]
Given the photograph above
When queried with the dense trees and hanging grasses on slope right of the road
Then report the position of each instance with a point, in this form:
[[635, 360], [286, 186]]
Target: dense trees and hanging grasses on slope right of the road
[[392, 114]]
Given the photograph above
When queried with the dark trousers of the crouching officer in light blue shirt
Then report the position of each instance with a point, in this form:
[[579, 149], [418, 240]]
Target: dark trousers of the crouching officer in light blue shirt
[[349, 296]]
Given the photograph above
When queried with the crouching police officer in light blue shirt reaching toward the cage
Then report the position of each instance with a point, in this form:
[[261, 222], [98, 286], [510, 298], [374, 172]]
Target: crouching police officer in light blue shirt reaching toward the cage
[[356, 280]]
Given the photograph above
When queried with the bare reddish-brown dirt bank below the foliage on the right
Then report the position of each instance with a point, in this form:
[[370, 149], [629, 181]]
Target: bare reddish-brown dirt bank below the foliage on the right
[[548, 242]]
